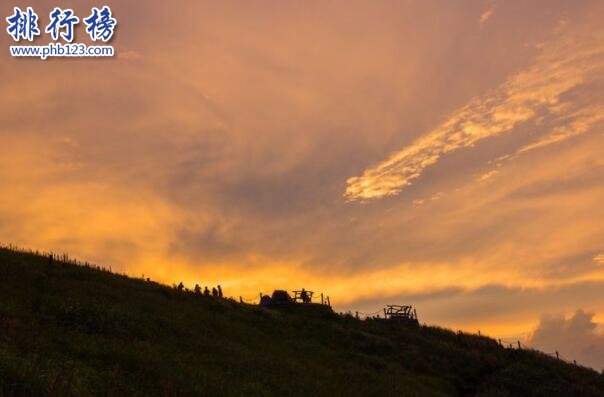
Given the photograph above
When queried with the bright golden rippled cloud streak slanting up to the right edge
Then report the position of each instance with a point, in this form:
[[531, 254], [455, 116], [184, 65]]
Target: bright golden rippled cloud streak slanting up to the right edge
[[532, 94]]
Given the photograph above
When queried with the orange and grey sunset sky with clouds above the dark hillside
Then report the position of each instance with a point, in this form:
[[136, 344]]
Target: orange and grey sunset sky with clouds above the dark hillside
[[448, 155]]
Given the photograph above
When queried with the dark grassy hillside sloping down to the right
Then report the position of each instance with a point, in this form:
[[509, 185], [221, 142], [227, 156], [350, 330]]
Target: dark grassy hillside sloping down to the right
[[70, 330]]
